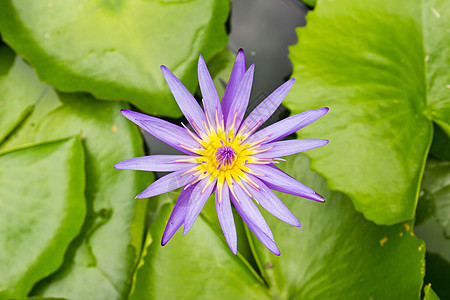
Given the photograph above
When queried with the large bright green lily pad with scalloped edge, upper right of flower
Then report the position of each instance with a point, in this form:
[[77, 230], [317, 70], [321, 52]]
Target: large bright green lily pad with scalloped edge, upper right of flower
[[382, 68]]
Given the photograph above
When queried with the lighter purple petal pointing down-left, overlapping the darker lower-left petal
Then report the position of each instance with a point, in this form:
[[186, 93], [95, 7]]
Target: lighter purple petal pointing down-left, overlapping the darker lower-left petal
[[197, 201]]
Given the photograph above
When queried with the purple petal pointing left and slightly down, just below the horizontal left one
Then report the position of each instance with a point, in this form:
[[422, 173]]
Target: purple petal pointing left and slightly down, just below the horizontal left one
[[166, 184]]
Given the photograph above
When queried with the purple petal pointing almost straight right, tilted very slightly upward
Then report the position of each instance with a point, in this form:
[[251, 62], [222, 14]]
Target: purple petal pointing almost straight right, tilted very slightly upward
[[284, 148]]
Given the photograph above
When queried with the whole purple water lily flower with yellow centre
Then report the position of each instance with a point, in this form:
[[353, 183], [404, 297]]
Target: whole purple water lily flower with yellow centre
[[226, 154]]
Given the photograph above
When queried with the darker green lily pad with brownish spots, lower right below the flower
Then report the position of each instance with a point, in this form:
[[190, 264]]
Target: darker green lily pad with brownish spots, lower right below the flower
[[337, 253]]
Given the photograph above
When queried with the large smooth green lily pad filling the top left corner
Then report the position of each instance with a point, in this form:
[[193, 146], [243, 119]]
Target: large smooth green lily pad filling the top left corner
[[113, 49]]
